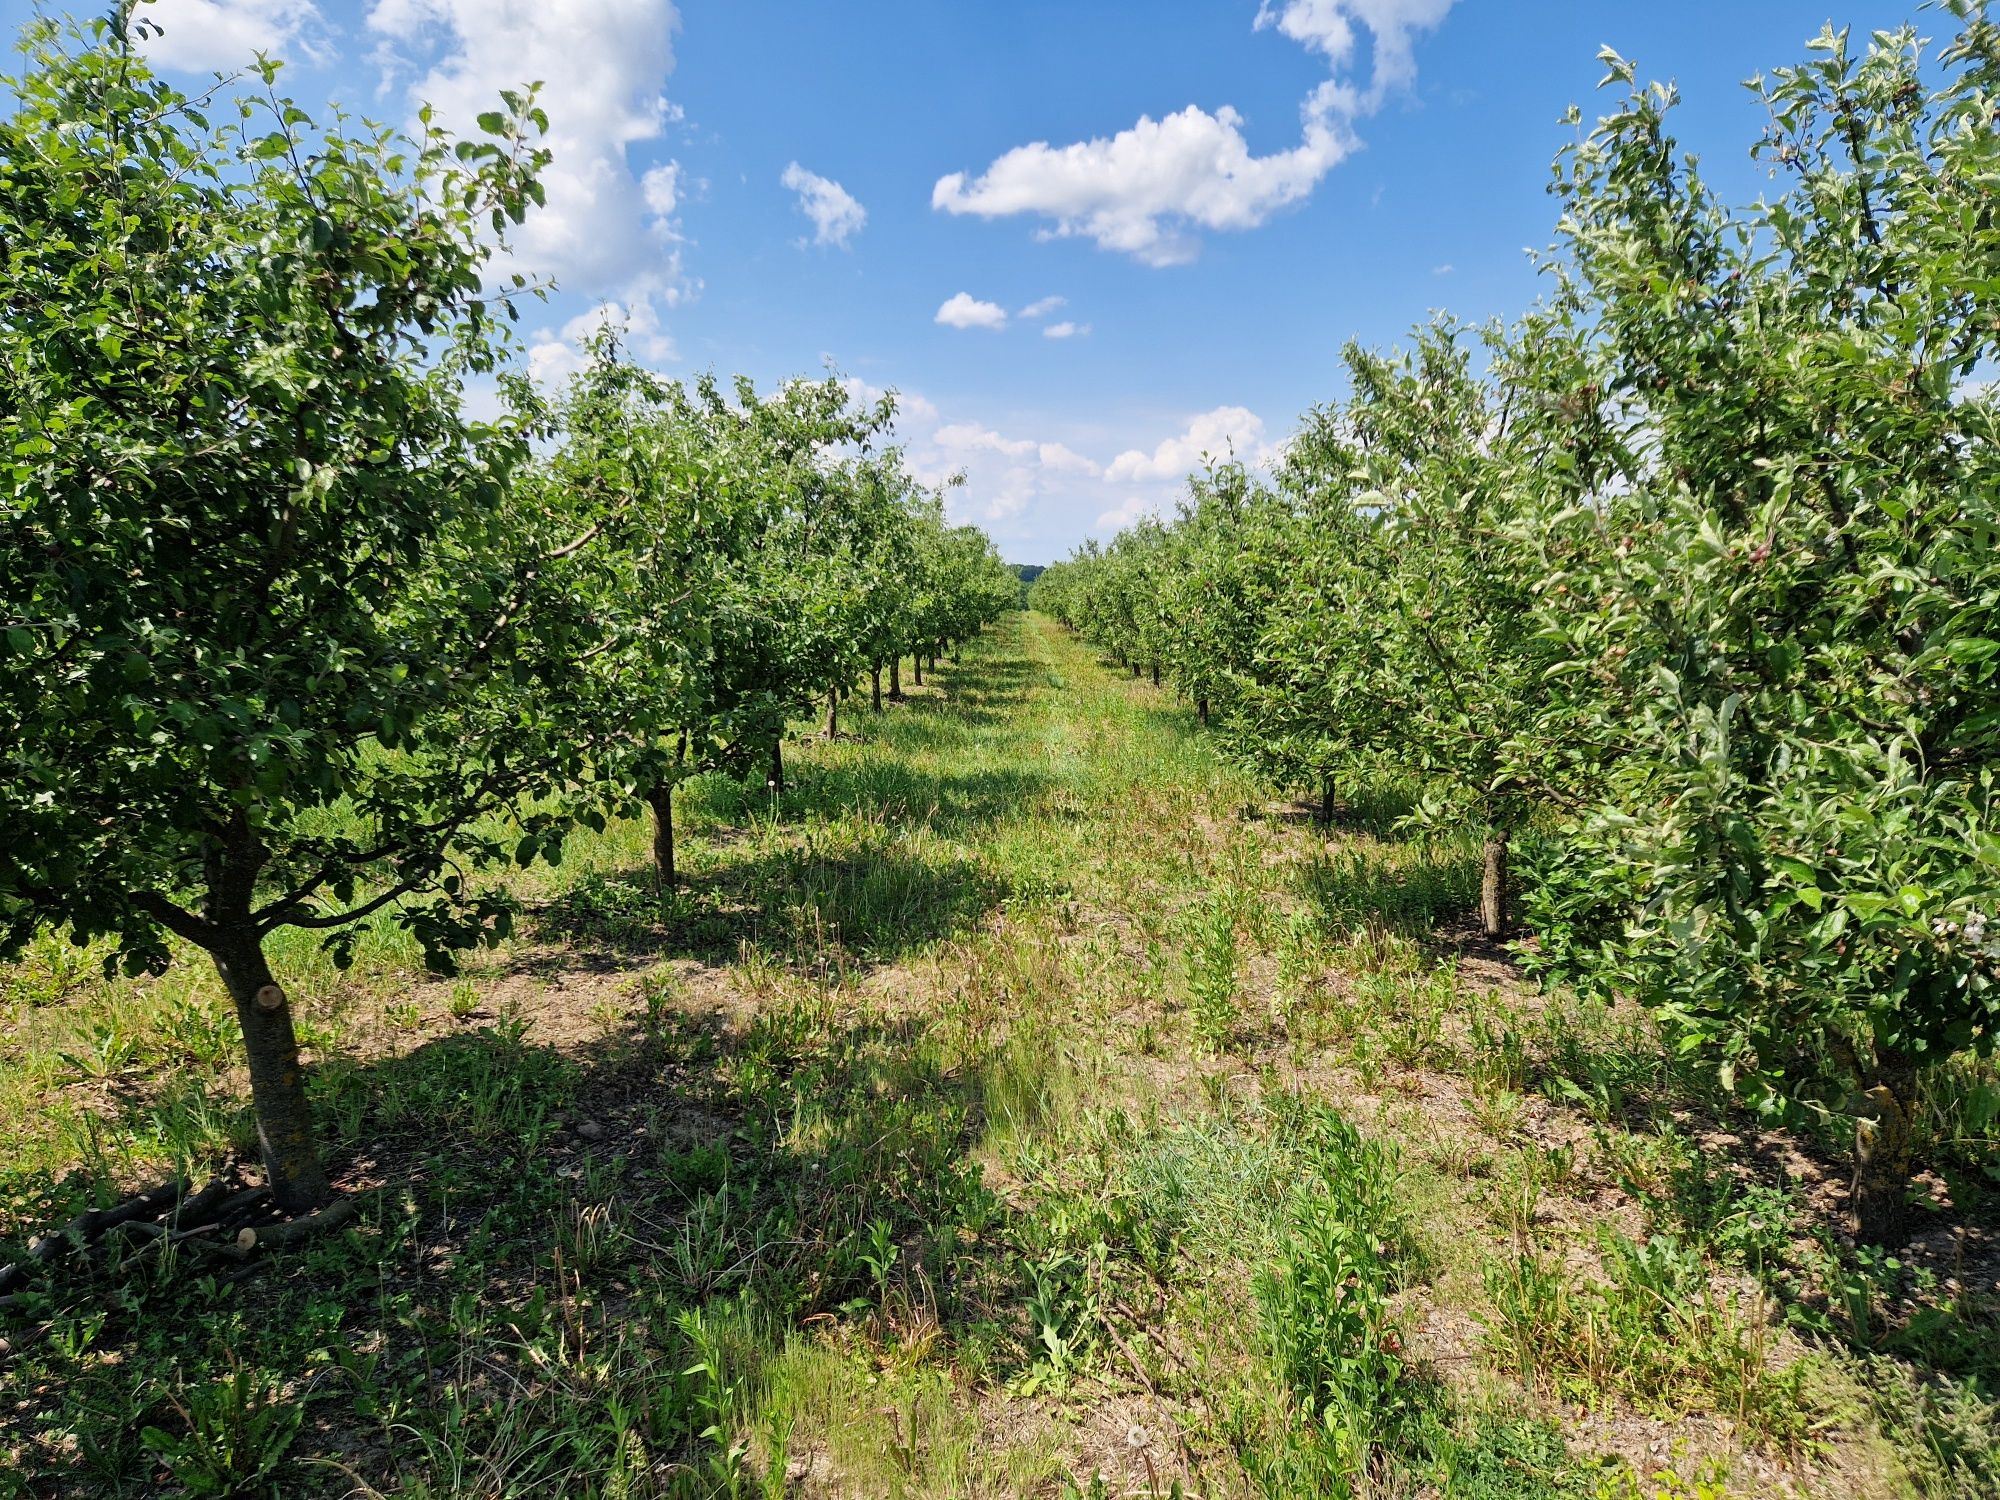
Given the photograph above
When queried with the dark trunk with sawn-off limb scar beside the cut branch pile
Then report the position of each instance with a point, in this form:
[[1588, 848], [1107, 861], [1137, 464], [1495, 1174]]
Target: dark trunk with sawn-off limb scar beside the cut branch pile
[[285, 1135]]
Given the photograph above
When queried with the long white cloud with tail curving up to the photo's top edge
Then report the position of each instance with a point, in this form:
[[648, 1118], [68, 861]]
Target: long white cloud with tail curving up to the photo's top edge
[[1149, 189]]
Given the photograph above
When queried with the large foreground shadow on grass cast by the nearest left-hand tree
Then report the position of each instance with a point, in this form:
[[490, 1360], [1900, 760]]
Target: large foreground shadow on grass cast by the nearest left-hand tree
[[663, 1209]]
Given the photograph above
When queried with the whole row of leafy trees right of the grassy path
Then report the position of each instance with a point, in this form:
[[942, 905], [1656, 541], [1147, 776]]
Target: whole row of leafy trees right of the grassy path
[[1689, 579]]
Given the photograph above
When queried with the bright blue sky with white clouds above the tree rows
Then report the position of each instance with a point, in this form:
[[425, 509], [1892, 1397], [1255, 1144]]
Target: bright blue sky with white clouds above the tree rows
[[1219, 195]]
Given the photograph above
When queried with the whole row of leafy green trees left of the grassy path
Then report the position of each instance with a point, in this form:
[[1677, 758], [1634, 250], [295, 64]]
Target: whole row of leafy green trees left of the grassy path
[[287, 637]]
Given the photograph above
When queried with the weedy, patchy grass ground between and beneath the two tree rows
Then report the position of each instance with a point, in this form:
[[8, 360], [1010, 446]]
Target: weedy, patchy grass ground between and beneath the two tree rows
[[1025, 1105]]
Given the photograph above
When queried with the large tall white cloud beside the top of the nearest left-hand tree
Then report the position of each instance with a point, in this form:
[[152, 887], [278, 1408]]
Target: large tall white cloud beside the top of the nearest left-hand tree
[[605, 231]]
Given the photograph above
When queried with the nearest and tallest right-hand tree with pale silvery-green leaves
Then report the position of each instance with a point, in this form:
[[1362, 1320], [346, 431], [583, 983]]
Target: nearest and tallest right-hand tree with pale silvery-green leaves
[[1781, 611]]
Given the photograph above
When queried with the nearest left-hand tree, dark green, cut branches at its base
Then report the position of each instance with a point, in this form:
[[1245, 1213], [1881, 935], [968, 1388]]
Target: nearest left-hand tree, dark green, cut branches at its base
[[269, 633]]
